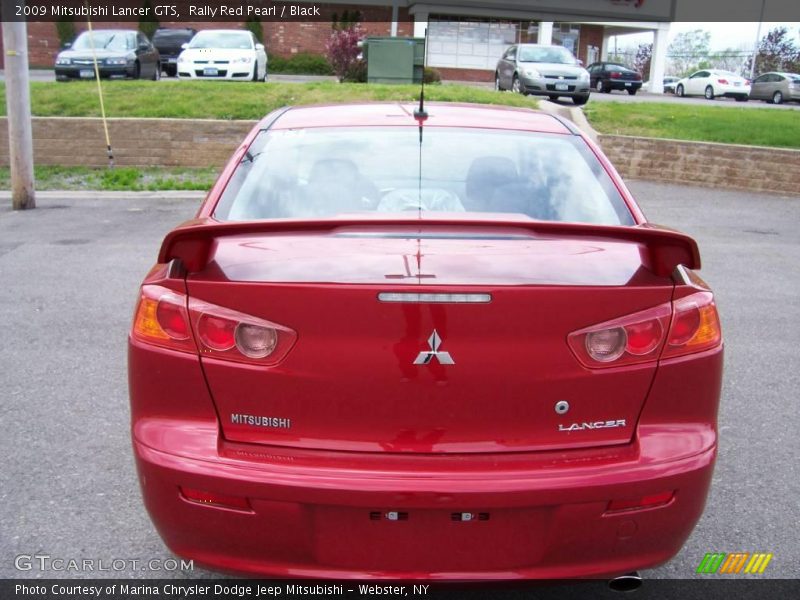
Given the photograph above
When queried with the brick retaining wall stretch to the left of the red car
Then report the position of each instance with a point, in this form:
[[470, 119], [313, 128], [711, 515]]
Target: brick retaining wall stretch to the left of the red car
[[136, 142]]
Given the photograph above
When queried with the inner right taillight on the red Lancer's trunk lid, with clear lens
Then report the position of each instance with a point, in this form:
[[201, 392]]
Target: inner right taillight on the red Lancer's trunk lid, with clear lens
[[627, 340]]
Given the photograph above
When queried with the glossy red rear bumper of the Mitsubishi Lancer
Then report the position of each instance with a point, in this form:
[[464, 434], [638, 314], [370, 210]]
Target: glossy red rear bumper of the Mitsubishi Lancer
[[323, 514]]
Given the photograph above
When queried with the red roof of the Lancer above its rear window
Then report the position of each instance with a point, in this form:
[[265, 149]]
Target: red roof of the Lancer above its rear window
[[402, 114]]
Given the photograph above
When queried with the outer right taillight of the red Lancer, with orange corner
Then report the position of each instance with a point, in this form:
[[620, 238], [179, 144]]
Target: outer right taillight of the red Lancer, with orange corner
[[695, 325]]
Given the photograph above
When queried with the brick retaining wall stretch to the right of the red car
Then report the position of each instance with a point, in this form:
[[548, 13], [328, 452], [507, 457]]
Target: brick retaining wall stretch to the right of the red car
[[700, 163]]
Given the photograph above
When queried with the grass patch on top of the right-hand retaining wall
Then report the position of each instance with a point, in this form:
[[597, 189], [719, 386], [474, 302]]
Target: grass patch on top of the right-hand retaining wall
[[751, 126]]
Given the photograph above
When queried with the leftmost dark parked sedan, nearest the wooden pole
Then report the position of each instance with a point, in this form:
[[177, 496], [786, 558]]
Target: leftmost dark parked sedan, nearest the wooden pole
[[121, 53]]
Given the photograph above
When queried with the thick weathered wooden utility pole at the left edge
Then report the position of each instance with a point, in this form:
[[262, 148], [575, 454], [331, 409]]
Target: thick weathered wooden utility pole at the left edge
[[18, 103]]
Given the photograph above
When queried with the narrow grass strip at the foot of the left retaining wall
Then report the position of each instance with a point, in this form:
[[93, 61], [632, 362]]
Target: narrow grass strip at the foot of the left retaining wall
[[134, 179]]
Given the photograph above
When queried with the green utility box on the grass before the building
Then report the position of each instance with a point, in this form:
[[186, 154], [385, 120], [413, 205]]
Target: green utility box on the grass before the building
[[394, 60]]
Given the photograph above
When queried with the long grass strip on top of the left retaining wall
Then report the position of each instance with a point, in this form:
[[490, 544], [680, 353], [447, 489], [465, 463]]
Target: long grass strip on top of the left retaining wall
[[230, 100]]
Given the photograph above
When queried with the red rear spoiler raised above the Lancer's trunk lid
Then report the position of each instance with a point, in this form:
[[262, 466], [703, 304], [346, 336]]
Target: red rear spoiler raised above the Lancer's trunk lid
[[665, 249]]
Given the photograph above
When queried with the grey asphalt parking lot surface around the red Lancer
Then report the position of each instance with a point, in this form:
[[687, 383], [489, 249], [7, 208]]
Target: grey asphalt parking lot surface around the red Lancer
[[70, 271]]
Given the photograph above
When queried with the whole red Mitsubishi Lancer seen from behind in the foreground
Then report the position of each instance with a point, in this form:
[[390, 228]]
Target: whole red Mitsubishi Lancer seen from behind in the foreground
[[407, 343]]
